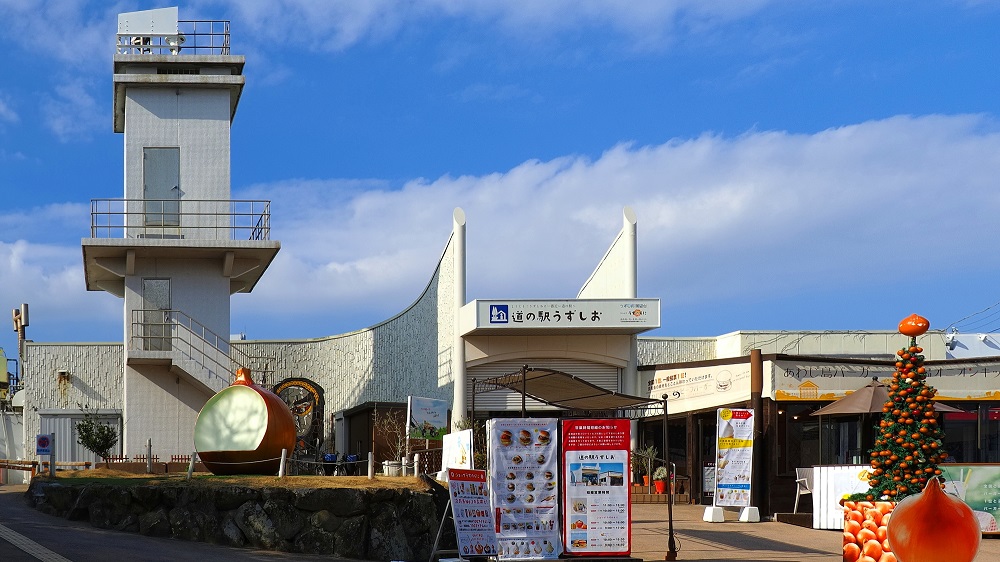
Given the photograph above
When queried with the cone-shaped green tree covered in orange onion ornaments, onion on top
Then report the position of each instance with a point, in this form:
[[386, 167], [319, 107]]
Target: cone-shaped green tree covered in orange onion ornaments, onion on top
[[908, 445]]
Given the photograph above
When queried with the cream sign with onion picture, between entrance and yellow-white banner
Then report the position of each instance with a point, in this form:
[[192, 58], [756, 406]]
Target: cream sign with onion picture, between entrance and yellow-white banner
[[701, 387]]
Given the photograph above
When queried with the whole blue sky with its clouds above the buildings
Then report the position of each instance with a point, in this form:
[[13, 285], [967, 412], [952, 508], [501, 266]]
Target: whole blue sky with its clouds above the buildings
[[793, 165]]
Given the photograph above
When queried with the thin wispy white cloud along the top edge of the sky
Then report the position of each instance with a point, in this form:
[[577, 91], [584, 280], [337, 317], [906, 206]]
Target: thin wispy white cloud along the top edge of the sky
[[333, 26]]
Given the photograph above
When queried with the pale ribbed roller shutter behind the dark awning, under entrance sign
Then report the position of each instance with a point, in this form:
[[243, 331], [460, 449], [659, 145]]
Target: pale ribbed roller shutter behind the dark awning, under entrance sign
[[604, 376]]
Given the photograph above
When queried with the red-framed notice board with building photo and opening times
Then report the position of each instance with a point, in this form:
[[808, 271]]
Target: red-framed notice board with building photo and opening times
[[597, 515]]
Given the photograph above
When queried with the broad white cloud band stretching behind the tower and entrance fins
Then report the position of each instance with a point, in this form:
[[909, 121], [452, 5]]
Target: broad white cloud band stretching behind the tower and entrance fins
[[756, 216]]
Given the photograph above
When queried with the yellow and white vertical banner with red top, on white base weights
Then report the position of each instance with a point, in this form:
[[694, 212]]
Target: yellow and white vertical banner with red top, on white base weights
[[735, 457]]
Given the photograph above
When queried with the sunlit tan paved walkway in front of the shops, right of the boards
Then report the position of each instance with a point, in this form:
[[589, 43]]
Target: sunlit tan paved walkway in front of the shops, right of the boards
[[733, 540]]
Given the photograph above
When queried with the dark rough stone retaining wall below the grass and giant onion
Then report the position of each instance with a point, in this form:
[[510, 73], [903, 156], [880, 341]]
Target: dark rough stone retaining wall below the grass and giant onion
[[378, 524]]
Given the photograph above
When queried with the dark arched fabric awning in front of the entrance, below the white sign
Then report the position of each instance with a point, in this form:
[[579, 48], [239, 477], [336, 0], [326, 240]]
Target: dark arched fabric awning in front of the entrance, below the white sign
[[561, 390]]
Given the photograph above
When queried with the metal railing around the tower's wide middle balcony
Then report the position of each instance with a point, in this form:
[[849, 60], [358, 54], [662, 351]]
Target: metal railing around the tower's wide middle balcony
[[201, 219]]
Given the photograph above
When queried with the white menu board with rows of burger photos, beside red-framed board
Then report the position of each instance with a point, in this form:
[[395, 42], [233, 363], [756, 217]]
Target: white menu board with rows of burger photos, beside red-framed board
[[525, 487]]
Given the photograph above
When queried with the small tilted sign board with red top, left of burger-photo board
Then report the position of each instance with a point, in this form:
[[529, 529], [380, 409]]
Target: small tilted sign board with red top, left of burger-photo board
[[471, 511]]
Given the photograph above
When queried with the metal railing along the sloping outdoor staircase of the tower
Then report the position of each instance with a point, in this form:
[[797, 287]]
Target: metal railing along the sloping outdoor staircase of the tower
[[175, 332]]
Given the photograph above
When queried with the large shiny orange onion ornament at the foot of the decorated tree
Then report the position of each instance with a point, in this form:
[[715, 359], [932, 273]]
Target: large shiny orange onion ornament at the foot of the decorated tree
[[933, 526]]
